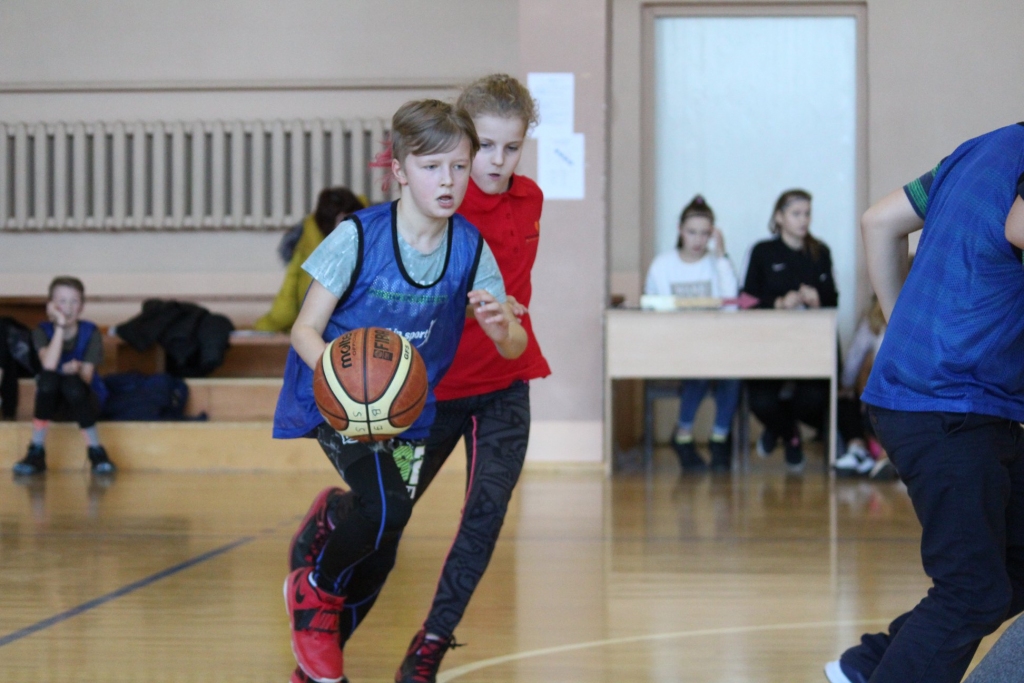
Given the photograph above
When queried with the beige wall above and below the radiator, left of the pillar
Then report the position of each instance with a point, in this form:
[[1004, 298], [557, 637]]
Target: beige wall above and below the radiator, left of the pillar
[[233, 60]]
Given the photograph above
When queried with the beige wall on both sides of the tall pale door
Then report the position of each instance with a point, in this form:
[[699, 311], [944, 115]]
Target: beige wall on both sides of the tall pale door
[[938, 73]]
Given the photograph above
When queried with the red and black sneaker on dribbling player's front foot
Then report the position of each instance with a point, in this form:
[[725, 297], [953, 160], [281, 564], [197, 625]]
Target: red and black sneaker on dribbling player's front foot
[[315, 617]]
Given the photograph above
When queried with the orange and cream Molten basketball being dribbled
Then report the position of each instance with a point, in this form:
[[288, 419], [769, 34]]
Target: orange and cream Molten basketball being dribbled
[[371, 385]]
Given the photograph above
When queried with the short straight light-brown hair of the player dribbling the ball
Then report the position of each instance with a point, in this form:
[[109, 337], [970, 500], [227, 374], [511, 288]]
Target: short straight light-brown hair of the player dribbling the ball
[[431, 126]]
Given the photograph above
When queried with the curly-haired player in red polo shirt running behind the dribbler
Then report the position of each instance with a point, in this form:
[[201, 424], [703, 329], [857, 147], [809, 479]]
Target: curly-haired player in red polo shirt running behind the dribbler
[[485, 399]]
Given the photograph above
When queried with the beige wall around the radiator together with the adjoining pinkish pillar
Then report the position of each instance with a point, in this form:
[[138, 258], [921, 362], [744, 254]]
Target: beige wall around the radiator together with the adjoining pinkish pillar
[[248, 60]]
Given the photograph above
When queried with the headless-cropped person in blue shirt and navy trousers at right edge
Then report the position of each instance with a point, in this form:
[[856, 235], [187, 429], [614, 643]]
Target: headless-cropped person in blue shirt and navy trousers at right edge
[[946, 398]]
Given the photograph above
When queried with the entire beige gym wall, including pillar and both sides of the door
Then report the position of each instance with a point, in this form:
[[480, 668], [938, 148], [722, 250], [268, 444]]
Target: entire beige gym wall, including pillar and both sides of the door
[[937, 73]]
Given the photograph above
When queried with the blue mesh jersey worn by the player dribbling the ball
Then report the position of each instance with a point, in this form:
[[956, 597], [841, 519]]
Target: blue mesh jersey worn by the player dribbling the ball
[[382, 294]]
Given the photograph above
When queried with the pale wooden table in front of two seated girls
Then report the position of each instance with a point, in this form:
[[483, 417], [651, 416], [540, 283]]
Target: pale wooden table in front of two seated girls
[[718, 345]]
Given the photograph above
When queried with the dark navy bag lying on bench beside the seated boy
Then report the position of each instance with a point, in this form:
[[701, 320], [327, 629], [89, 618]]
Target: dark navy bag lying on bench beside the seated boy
[[139, 397]]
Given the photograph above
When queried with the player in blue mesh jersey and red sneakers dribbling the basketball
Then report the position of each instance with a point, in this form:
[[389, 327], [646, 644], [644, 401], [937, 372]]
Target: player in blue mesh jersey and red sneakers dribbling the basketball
[[412, 267]]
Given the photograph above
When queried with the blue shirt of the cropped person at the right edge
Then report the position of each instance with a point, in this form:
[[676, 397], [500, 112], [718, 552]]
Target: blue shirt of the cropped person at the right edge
[[956, 338]]
